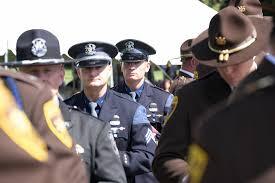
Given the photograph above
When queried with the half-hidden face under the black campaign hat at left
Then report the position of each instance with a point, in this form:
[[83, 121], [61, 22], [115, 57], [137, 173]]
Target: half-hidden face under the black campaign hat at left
[[53, 75]]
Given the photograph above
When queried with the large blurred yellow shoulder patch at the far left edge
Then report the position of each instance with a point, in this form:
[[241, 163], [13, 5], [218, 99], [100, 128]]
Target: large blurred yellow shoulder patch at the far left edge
[[16, 125]]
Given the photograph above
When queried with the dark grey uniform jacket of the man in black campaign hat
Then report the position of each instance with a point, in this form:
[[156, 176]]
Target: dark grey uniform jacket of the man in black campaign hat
[[94, 145]]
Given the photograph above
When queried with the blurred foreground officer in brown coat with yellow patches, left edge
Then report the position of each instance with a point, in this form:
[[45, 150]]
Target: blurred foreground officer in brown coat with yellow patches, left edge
[[34, 146]]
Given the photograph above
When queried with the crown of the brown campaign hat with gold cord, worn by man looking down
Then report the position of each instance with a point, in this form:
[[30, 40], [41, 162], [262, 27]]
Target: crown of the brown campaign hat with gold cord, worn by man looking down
[[228, 29]]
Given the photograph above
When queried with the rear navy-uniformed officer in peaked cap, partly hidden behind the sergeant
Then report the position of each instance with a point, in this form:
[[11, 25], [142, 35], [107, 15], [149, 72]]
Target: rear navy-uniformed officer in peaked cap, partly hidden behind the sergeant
[[135, 64]]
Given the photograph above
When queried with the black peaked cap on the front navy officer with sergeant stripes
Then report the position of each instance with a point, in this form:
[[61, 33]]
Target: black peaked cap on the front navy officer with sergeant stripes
[[92, 54]]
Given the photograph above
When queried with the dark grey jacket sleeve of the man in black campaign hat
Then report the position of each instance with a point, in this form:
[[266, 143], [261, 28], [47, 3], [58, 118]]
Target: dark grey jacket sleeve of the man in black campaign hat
[[108, 167]]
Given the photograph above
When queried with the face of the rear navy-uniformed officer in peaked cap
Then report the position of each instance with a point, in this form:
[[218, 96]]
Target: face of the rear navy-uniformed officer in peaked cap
[[134, 71]]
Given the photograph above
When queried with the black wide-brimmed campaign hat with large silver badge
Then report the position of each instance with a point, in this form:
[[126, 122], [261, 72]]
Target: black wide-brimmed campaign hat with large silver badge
[[37, 47]]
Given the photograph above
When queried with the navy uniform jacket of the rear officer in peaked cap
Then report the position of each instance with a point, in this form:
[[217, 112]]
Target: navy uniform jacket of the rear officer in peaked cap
[[152, 94]]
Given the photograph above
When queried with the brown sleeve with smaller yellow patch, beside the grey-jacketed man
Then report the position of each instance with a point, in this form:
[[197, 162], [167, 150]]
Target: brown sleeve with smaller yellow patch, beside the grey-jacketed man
[[66, 165]]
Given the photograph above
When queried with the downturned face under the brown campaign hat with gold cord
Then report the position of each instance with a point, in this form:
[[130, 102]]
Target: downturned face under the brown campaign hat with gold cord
[[233, 74]]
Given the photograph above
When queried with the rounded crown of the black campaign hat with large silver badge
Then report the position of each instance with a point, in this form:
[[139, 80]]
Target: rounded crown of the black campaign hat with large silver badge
[[37, 44]]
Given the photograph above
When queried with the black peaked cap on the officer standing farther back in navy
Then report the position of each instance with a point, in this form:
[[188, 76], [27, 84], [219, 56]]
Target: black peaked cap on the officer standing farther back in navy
[[134, 50]]
